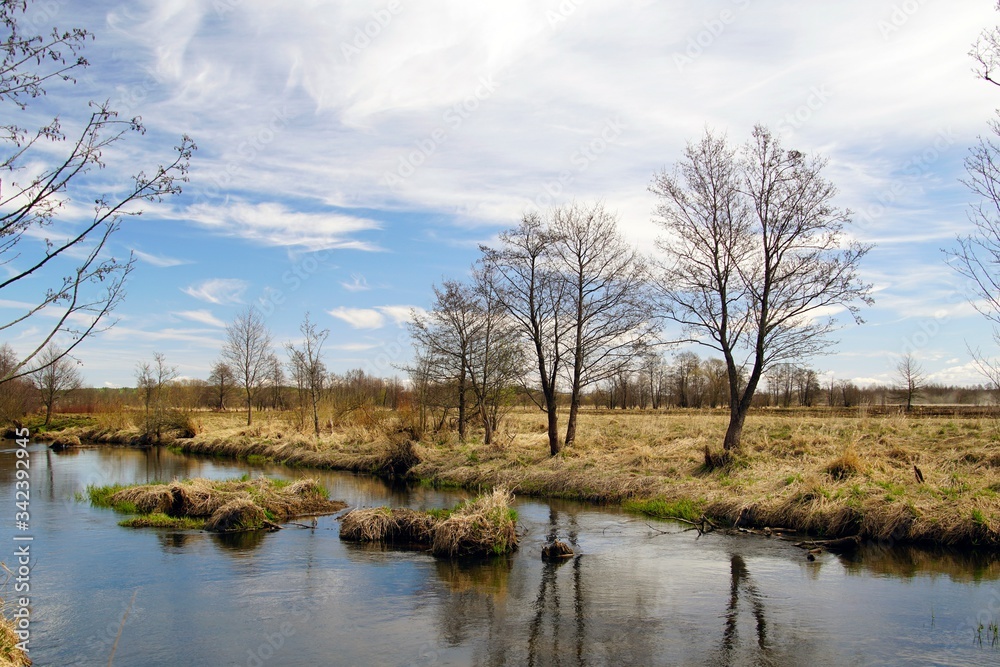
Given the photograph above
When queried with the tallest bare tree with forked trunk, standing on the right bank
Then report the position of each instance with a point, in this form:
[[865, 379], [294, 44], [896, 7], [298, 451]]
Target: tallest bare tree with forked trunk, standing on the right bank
[[754, 256]]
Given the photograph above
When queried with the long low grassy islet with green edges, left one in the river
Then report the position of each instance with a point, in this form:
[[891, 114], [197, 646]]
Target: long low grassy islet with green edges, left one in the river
[[218, 506]]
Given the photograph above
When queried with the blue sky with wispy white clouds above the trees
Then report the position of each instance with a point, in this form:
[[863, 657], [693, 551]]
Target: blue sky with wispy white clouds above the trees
[[353, 154]]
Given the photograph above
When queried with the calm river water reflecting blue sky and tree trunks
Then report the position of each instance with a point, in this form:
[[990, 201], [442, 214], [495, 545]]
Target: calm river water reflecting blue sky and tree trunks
[[302, 597]]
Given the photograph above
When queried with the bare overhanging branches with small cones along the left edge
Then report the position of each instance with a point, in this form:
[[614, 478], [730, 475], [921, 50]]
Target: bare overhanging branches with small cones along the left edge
[[70, 284]]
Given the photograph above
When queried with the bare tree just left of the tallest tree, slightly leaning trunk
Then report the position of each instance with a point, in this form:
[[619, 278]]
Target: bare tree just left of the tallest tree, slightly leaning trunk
[[606, 288]]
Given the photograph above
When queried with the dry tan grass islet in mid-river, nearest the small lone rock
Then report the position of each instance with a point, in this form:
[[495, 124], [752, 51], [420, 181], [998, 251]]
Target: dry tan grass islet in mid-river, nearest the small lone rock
[[483, 526]]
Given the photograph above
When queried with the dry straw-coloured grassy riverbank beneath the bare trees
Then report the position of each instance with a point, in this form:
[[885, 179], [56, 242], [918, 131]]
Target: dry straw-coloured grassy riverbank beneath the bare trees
[[829, 476]]
